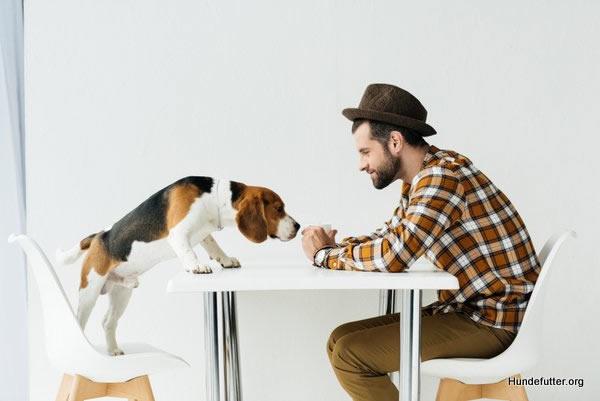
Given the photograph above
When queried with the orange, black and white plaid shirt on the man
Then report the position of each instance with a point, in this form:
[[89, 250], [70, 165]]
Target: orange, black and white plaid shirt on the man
[[454, 215]]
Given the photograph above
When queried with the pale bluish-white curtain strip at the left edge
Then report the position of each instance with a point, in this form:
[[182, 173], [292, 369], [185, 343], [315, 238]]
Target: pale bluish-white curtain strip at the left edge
[[14, 369]]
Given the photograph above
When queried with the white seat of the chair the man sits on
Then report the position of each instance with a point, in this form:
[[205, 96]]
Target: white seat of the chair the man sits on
[[471, 370]]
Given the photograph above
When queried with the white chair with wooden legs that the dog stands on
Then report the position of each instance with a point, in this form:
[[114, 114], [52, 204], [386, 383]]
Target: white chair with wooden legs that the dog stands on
[[88, 371]]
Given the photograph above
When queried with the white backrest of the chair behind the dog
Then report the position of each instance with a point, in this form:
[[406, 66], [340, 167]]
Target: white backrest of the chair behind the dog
[[64, 336]]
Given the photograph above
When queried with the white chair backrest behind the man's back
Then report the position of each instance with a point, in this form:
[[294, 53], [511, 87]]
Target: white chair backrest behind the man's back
[[527, 343]]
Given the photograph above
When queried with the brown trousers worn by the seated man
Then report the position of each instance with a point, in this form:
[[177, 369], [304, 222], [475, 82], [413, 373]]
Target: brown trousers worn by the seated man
[[362, 353]]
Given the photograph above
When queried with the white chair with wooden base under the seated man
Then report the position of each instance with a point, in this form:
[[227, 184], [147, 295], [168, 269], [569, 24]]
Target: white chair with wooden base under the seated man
[[473, 378]]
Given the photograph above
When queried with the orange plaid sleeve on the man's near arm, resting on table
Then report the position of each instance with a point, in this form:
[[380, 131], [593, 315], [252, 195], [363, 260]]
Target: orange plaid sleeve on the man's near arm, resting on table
[[436, 201]]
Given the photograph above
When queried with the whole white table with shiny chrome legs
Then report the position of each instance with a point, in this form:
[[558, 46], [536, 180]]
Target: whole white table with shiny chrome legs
[[219, 288]]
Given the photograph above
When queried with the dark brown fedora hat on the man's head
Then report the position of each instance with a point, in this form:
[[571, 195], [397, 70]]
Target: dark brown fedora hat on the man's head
[[390, 104]]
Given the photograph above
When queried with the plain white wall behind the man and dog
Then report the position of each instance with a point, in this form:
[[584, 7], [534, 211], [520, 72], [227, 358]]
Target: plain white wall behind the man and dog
[[124, 97]]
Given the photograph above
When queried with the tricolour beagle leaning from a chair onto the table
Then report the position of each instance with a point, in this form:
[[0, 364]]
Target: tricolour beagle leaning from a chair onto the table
[[166, 225]]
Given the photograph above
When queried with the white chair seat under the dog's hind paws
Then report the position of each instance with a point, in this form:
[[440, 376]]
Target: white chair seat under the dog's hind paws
[[139, 360]]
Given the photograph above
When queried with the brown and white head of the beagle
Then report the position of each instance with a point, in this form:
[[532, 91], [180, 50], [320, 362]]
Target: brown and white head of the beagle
[[261, 214]]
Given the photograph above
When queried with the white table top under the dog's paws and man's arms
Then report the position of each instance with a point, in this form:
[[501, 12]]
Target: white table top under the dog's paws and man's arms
[[296, 275]]
